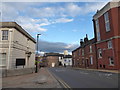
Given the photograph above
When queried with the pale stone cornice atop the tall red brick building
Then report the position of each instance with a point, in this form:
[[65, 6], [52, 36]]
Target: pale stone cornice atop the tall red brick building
[[107, 7]]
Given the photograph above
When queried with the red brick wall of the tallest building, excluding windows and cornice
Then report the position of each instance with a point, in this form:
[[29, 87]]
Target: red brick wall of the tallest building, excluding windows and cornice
[[112, 36]]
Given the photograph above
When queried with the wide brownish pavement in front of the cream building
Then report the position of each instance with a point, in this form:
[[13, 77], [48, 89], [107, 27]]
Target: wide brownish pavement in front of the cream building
[[42, 79]]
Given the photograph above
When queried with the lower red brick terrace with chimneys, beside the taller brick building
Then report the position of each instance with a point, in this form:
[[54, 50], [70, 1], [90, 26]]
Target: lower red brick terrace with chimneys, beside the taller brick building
[[85, 55]]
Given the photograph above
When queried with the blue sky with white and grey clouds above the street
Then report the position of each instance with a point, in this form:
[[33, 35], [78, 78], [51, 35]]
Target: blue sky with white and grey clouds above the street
[[61, 24]]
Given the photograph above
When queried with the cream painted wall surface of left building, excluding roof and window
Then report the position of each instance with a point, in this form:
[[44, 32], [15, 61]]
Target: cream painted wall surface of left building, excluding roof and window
[[19, 46]]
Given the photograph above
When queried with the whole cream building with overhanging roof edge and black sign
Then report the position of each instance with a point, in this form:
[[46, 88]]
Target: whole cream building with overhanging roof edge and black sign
[[17, 47]]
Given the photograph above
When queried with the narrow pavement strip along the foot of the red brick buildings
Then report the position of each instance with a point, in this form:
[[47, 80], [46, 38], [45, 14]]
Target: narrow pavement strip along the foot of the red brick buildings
[[98, 70]]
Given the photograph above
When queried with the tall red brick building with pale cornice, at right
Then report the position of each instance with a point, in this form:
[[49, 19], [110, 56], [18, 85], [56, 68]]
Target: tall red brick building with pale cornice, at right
[[107, 35]]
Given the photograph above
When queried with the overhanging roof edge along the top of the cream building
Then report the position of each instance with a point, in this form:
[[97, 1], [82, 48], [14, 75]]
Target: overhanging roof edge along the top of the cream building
[[18, 27]]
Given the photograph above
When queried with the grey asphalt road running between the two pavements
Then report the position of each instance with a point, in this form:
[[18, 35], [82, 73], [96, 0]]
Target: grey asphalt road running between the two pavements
[[85, 78]]
